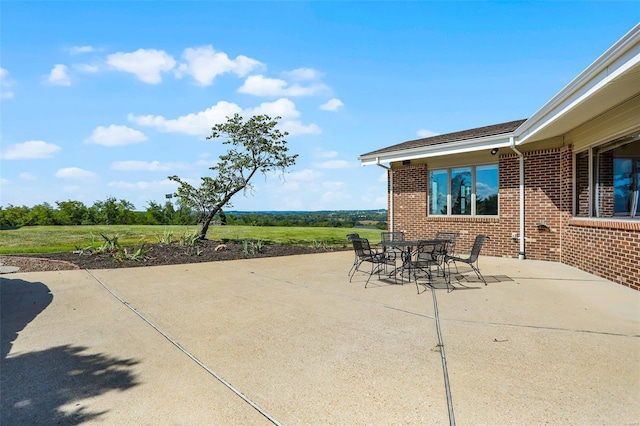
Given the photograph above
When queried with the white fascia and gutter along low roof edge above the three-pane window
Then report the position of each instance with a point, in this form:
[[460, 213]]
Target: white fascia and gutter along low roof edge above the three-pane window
[[460, 147]]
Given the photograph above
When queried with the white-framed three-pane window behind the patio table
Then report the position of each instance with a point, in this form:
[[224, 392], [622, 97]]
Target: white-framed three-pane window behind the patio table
[[464, 191]]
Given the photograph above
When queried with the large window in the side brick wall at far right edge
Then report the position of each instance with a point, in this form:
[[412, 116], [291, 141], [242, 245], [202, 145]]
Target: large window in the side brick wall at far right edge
[[607, 180]]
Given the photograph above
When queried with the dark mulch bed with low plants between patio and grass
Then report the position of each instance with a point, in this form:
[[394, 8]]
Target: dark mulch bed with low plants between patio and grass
[[157, 254]]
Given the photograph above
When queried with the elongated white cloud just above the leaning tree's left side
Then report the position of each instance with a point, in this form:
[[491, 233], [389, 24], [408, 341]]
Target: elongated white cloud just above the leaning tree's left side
[[197, 124]]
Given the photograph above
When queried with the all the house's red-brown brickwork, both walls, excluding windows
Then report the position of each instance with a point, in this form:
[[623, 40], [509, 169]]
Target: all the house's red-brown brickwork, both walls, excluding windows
[[608, 249]]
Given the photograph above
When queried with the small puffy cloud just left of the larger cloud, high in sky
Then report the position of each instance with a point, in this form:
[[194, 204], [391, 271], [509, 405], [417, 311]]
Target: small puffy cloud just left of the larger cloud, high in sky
[[146, 64]]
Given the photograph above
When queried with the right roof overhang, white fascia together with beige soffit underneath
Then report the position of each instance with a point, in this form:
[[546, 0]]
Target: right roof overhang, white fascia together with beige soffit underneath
[[612, 79]]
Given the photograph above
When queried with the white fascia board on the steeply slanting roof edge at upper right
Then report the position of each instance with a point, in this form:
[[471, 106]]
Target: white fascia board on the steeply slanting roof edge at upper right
[[623, 55]]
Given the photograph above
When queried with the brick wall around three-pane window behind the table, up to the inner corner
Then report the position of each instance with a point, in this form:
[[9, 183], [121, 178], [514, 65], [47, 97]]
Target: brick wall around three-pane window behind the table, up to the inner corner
[[410, 209]]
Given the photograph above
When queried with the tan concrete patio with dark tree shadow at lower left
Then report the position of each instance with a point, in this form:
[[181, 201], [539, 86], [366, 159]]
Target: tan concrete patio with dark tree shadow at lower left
[[290, 341]]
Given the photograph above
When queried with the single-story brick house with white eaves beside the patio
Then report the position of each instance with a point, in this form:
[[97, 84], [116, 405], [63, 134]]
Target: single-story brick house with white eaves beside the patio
[[561, 186]]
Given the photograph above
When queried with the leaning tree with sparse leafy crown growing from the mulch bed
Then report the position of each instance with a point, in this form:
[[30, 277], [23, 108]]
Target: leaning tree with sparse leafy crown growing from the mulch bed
[[256, 146]]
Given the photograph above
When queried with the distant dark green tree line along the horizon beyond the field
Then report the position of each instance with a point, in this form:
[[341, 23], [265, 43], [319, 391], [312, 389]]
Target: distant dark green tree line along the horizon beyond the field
[[121, 212]]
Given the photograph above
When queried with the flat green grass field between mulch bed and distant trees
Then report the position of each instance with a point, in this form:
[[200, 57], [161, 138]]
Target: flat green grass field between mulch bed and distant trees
[[46, 239]]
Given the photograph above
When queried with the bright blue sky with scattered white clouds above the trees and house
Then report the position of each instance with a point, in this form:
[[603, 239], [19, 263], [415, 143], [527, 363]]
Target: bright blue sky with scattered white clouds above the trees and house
[[107, 99]]
